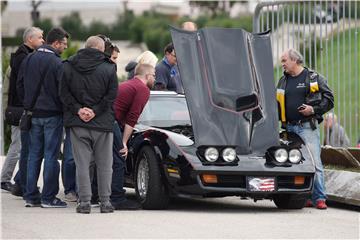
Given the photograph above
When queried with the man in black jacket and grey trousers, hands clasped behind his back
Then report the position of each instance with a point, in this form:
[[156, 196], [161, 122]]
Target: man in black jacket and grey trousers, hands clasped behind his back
[[88, 90]]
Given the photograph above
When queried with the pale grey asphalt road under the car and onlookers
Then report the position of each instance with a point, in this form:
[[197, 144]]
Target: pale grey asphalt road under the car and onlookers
[[219, 218]]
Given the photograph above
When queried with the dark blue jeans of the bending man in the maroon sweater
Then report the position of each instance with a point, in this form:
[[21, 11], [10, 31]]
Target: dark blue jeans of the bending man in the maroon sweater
[[117, 184]]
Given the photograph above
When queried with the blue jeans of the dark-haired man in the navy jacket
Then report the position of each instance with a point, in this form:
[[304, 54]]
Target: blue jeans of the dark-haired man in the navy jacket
[[45, 140]]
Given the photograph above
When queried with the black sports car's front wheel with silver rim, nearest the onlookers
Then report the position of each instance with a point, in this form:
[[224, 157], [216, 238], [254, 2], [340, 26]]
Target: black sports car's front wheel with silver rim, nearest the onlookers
[[149, 187]]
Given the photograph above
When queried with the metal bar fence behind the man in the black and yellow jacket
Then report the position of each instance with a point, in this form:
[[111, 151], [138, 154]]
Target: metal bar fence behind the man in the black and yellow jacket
[[326, 33]]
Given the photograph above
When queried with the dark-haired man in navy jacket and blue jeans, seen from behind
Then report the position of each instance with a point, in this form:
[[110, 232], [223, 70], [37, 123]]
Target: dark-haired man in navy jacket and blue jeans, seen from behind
[[39, 88]]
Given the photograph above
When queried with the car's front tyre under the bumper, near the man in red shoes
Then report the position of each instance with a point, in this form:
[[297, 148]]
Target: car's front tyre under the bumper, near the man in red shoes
[[290, 201]]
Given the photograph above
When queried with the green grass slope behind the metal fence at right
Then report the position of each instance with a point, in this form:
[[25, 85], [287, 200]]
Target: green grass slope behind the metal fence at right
[[343, 78]]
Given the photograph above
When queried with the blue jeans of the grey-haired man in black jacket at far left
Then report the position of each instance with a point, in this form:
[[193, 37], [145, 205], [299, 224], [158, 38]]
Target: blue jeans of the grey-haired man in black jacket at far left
[[21, 175]]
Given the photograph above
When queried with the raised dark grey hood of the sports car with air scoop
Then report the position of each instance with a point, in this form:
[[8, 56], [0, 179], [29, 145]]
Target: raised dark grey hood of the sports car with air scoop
[[228, 80]]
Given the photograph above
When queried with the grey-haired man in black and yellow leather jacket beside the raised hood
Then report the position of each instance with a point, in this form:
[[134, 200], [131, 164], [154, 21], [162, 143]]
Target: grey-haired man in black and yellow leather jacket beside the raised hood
[[303, 97]]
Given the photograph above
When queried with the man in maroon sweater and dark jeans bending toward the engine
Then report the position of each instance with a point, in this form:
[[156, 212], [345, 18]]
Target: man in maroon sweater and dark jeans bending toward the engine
[[130, 101]]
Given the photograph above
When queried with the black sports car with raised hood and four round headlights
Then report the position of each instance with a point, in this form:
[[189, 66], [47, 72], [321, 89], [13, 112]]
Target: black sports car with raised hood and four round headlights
[[222, 139]]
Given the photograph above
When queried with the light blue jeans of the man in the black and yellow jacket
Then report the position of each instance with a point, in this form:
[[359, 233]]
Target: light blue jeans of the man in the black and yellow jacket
[[312, 139]]
